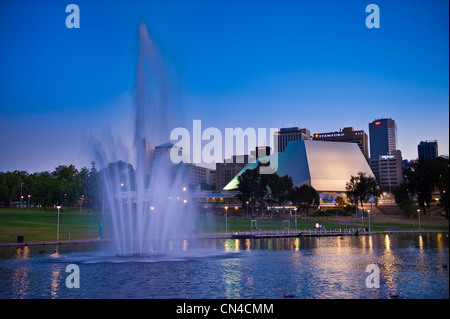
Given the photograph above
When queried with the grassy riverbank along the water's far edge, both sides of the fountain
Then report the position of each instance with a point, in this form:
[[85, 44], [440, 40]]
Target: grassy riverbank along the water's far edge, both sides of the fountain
[[39, 227]]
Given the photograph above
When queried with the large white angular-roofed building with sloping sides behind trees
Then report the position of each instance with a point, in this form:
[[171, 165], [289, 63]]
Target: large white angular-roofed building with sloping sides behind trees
[[326, 166]]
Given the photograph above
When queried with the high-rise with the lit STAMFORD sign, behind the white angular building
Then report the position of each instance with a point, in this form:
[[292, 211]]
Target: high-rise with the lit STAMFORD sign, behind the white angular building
[[349, 135]]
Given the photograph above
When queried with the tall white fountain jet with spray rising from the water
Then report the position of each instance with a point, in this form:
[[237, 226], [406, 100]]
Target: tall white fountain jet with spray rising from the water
[[149, 207]]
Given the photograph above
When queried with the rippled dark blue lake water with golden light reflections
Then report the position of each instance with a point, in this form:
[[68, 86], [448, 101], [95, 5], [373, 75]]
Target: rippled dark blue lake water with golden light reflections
[[411, 266]]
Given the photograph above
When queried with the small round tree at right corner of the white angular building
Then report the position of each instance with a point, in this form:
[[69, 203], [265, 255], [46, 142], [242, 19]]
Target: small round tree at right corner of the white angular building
[[361, 187]]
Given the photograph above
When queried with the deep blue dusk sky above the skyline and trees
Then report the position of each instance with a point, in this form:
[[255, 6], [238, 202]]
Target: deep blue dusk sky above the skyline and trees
[[257, 64]]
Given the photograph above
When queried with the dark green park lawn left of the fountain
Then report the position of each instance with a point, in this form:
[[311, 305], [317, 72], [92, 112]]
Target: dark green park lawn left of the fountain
[[41, 225]]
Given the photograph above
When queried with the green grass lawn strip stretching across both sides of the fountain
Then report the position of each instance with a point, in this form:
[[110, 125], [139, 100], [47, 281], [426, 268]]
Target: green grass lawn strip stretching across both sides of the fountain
[[40, 225]]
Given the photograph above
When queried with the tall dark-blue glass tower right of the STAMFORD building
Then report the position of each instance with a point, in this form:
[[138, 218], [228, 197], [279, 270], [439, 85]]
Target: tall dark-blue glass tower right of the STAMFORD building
[[383, 137]]
